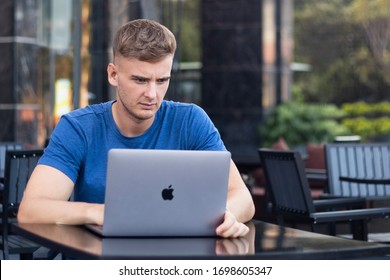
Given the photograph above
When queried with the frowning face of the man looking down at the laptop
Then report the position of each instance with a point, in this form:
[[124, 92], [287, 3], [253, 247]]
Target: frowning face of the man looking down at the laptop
[[140, 86]]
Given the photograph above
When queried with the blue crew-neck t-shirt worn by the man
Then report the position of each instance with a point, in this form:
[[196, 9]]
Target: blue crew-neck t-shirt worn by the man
[[81, 140]]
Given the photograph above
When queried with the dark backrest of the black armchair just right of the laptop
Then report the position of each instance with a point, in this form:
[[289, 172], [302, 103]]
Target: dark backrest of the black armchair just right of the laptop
[[287, 183]]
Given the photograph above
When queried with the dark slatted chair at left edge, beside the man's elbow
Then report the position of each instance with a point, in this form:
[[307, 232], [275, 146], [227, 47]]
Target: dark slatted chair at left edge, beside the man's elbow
[[19, 165]]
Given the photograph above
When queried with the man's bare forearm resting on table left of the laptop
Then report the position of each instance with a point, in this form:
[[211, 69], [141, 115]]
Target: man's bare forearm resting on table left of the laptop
[[41, 210]]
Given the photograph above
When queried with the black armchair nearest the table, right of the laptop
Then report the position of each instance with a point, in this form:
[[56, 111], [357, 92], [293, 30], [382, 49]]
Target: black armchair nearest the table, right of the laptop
[[290, 195]]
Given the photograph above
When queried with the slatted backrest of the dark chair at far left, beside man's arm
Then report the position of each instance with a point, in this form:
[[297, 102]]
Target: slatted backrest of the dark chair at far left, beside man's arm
[[19, 165]]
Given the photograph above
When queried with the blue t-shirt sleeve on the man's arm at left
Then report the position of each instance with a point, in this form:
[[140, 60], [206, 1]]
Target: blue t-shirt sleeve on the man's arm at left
[[66, 148]]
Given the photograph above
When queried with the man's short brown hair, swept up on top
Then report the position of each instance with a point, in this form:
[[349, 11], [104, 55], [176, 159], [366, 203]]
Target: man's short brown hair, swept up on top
[[145, 40]]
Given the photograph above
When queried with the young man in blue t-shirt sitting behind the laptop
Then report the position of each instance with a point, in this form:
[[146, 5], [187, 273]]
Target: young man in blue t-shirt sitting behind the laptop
[[76, 157]]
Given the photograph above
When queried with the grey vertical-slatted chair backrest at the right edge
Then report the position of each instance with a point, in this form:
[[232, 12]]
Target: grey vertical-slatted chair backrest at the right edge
[[359, 161]]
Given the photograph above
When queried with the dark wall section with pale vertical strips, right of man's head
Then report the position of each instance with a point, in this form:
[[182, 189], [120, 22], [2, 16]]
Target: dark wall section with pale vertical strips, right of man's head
[[246, 58]]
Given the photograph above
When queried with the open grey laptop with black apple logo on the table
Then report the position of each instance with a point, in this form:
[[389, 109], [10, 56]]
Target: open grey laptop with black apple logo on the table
[[164, 193]]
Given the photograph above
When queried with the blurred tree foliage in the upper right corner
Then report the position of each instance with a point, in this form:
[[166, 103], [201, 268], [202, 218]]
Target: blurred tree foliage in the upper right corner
[[332, 36]]
